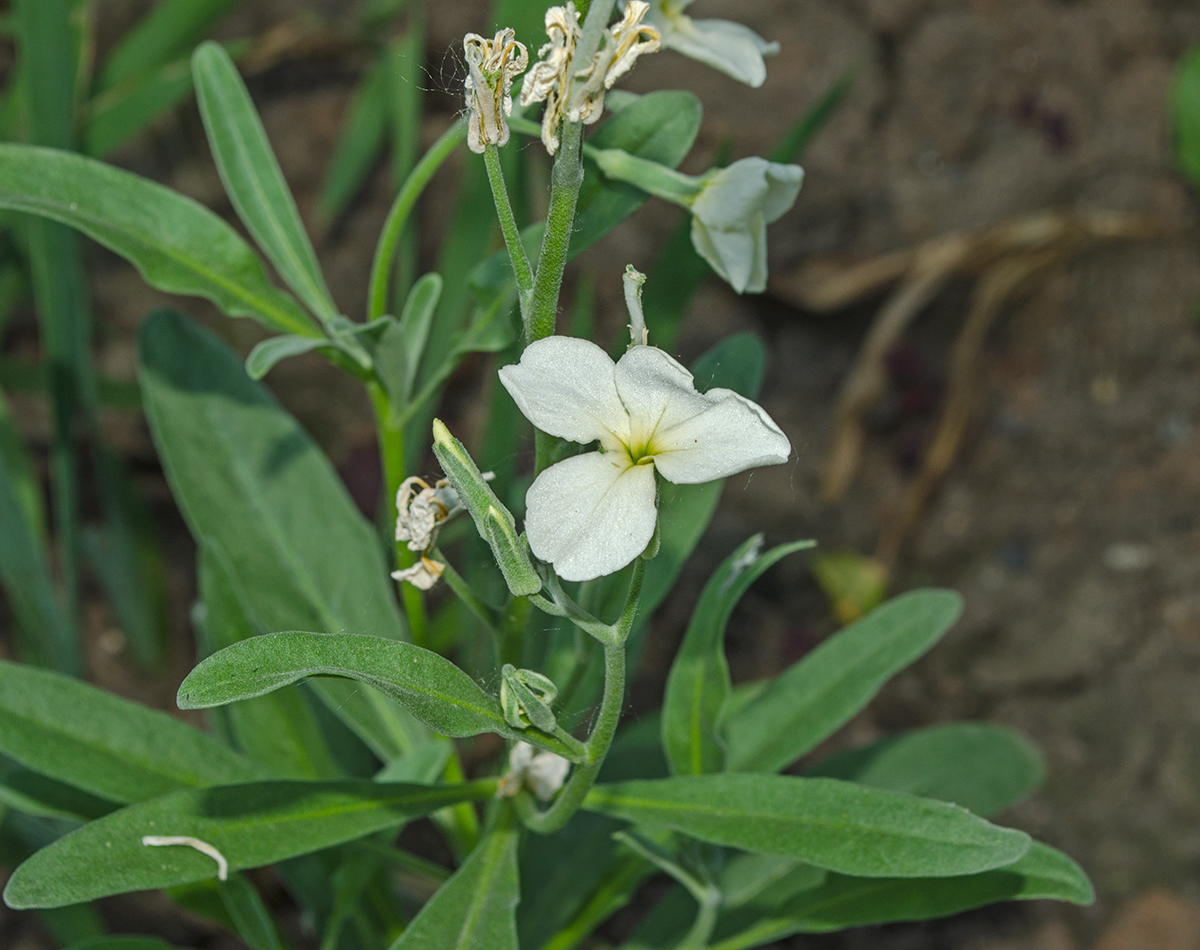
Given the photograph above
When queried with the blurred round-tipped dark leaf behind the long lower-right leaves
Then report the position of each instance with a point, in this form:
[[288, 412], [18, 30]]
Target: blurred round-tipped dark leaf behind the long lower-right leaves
[[979, 766]]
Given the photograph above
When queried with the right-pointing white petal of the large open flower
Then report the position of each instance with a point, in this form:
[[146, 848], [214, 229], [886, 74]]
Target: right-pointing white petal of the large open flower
[[734, 436]]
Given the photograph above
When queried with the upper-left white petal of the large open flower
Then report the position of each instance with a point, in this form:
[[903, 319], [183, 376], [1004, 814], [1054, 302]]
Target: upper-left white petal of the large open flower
[[566, 387]]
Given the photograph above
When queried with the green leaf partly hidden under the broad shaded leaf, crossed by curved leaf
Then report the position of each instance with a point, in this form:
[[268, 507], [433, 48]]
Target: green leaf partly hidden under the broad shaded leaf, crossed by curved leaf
[[279, 731]]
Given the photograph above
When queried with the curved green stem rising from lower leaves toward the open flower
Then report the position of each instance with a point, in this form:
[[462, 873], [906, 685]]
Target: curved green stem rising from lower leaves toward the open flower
[[597, 749]]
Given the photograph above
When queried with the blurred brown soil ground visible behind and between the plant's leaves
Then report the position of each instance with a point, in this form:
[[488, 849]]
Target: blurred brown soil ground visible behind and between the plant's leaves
[[1071, 521]]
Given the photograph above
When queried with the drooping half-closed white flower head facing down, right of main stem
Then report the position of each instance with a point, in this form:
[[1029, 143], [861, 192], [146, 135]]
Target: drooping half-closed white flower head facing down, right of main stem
[[731, 214]]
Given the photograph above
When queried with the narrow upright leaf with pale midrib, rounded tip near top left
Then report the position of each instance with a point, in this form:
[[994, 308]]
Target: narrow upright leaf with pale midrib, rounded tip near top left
[[253, 177]]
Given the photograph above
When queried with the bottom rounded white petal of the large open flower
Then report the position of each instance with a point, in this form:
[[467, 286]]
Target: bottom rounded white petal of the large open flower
[[591, 515]]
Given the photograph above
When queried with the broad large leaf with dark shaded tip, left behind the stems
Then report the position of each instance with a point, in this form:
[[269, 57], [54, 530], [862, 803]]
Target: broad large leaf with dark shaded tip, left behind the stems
[[263, 498]]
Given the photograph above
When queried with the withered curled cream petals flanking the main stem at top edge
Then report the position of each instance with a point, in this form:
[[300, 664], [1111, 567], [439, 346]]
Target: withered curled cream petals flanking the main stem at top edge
[[578, 97]]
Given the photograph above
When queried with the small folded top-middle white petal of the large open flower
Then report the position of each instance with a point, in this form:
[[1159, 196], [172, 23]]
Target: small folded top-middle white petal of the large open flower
[[658, 394]]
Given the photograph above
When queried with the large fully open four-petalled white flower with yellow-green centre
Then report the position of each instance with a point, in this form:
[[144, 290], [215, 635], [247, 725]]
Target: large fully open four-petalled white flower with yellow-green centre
[[593, 514]]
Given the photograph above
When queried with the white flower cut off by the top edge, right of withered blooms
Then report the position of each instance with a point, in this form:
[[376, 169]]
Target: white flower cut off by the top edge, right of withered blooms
[[730, 47]]
